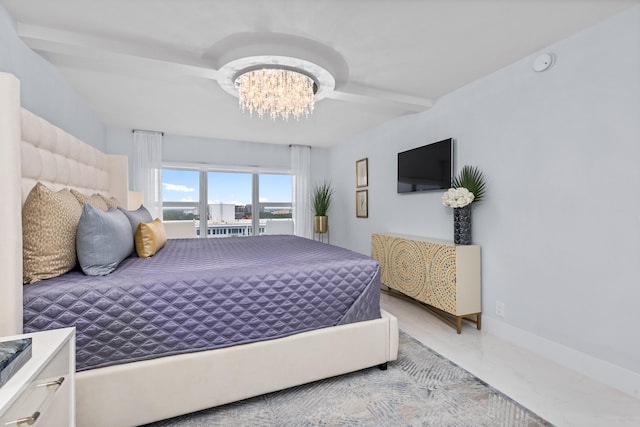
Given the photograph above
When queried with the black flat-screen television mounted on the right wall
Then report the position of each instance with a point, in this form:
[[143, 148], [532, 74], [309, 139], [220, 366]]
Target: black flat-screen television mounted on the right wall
[[426, 168]]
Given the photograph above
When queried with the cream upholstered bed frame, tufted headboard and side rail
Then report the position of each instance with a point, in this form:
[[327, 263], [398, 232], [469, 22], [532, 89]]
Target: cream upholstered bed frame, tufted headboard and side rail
[[32, 150]]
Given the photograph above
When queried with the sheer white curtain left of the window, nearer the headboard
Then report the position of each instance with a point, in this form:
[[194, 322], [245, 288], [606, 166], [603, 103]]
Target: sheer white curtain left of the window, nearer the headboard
[[147, 169]]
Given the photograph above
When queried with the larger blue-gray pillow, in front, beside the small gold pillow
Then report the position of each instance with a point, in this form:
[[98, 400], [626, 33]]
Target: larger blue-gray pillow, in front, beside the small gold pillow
[[103, 240]]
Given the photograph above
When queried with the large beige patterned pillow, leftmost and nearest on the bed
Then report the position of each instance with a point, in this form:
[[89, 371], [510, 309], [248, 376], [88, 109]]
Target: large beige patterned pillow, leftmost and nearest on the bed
[[49, 224]]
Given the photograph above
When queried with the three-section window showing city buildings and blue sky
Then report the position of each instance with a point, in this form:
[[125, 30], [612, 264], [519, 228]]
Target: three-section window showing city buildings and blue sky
[[228, 198]]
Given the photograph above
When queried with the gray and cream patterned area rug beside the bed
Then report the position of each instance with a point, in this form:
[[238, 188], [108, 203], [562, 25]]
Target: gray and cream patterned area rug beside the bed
[[421, 388]]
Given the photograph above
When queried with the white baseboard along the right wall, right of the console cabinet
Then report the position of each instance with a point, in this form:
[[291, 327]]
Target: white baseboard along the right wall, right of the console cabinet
[[605, 372]]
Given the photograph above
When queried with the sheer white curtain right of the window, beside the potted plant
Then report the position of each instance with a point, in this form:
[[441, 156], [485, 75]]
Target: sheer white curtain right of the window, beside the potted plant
[[301, 167]]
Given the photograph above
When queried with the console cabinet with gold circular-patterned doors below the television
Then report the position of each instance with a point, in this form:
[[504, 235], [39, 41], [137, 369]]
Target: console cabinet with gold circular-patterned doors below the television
[[439, 274]]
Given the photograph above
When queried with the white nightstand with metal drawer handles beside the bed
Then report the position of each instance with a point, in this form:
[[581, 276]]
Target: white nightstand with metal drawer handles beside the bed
[[42, 392]]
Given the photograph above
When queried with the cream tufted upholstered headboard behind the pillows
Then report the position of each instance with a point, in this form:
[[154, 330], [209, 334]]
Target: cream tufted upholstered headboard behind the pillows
[[32, 150]]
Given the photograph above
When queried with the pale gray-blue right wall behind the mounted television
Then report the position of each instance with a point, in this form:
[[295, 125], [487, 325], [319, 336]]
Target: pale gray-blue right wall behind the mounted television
[[560, 227]]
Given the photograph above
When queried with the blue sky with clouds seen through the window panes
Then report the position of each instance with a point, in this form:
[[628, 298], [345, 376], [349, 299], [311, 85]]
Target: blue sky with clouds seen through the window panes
[[225, 187]]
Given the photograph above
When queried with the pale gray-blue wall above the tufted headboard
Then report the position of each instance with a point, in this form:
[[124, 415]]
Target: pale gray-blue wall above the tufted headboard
[[44, 91]]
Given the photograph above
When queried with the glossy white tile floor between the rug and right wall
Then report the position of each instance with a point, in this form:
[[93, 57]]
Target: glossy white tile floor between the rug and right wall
[[560, 395]]
